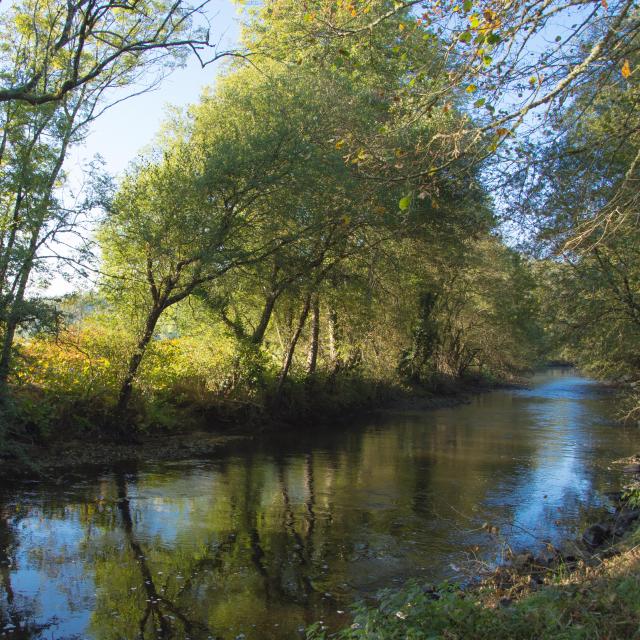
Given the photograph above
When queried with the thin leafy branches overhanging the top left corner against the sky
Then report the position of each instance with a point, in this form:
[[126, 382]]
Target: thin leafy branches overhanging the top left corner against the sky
[[53, 48]]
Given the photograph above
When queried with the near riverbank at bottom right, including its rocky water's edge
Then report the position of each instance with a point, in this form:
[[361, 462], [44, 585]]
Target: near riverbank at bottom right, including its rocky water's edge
[[588, 590]]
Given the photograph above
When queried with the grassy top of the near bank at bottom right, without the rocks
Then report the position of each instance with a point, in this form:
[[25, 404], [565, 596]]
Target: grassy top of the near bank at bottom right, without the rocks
[[595, 600]]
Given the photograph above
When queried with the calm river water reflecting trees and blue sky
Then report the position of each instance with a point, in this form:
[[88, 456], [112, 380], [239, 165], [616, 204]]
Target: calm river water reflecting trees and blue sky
[[260, 543]]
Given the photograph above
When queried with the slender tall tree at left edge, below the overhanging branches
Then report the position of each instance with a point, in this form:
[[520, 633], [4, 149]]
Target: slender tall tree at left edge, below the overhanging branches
[[36, 142]]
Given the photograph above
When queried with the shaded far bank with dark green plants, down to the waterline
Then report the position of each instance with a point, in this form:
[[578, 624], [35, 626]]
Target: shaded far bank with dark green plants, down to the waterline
[[45, 434]]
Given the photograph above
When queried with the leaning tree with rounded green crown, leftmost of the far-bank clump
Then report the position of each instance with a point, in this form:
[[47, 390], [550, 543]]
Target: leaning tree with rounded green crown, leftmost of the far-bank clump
[[202, 208]]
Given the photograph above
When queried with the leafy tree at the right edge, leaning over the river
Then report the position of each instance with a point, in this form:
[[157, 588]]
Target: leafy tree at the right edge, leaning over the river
[[581, 204]]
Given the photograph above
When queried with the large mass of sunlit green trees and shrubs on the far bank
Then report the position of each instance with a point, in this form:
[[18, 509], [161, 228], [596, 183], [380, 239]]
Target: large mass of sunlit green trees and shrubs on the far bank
[[273, 249]]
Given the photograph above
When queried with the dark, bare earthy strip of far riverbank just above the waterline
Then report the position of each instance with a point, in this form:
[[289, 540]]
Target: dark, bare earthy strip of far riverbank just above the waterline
[[57, 452]]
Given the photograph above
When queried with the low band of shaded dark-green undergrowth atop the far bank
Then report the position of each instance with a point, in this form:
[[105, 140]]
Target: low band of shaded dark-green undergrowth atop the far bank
[[42, 413]]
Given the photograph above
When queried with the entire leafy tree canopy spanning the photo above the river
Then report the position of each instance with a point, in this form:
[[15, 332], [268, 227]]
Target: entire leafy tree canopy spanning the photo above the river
[[339, 214]]
